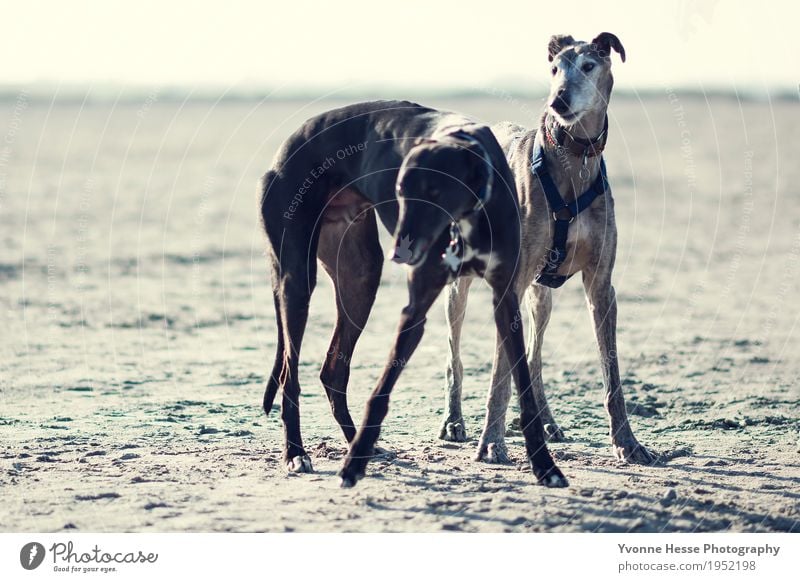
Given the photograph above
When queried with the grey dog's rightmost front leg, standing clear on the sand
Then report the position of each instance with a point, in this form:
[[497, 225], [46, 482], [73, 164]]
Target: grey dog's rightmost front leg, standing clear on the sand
[[602, 302]]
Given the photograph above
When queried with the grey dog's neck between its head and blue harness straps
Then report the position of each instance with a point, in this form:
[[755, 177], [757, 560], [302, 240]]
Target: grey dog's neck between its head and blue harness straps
[[572, 171]]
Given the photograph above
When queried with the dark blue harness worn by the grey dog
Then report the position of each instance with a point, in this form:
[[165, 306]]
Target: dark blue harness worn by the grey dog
[[564, 213]]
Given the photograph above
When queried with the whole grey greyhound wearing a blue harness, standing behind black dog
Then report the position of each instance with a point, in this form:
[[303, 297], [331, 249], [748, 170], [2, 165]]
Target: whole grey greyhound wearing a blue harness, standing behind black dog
[[568, 226]]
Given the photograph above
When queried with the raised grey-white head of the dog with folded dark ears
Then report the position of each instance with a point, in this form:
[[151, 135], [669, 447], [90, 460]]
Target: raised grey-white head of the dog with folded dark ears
[[581, 75]]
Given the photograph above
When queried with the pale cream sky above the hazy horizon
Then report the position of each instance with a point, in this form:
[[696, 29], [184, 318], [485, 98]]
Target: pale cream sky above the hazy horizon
[[699, 43]]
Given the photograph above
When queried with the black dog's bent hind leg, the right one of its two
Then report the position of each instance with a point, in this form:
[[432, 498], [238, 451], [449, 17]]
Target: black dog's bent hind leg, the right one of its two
[[352, 257]]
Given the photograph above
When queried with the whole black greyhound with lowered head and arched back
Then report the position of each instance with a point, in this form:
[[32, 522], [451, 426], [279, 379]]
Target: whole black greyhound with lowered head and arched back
[[442, 185]]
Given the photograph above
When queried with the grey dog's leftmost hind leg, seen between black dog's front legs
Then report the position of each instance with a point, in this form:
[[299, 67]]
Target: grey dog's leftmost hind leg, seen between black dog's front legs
[[453, 428]]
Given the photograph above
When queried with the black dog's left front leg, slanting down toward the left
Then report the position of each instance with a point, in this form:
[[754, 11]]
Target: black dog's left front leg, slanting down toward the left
[[424, 286]]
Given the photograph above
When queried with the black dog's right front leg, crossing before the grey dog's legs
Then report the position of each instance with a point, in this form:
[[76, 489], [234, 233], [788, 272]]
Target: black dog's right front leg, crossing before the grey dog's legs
[[509, 327]]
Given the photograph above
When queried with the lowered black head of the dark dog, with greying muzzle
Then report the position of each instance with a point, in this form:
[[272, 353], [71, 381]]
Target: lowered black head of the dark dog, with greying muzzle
[[439, 182]]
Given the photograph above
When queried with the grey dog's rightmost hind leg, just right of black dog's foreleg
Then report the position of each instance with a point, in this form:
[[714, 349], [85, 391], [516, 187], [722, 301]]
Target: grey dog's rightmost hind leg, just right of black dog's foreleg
[[540, 303]]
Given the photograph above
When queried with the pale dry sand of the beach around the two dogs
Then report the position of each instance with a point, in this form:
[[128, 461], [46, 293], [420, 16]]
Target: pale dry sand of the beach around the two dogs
[[138, 329]]
